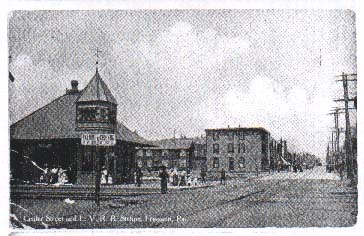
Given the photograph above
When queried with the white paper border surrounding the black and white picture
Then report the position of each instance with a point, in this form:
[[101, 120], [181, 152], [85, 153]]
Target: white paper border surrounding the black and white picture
[[6, 7]]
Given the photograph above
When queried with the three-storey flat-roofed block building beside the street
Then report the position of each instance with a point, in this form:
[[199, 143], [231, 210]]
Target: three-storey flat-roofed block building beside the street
[[238, 149]]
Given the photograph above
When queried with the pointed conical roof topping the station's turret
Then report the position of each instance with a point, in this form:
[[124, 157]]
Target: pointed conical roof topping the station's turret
[[96, 90]]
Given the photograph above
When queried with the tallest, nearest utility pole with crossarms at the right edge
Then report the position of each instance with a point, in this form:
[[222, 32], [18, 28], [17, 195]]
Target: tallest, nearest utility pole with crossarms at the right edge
[[348, 143]]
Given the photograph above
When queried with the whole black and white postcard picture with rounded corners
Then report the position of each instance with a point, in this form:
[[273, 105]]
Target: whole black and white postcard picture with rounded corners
[[182, 118]]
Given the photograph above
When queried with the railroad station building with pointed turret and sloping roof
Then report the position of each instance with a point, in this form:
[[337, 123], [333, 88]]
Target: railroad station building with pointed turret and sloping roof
[[51, 136]]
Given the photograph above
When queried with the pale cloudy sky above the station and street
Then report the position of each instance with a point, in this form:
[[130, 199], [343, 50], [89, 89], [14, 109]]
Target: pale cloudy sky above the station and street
[[189, 70]]
